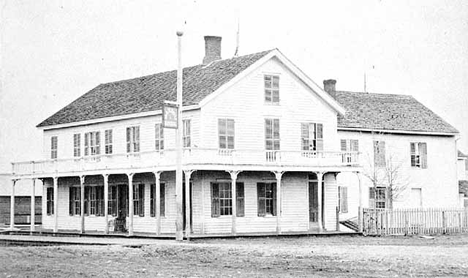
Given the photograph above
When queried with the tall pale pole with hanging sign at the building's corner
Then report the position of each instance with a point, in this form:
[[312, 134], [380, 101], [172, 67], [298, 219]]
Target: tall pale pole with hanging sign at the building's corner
[[179, 132]]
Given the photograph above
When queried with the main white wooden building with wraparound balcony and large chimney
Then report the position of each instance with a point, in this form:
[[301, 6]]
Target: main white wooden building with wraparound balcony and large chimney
[[254, 127]]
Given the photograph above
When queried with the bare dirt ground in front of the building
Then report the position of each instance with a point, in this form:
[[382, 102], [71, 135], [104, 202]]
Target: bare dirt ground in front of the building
[[345, 256]]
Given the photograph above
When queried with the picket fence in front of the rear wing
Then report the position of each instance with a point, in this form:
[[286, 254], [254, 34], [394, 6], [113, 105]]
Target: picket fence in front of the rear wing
[[422, 221]]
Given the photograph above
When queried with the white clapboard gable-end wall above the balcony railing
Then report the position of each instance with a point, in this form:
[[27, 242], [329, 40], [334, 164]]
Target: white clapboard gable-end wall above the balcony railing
[[244, 102]]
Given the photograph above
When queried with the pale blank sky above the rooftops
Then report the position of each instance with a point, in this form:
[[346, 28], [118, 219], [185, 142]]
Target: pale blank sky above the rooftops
[[52, 52]]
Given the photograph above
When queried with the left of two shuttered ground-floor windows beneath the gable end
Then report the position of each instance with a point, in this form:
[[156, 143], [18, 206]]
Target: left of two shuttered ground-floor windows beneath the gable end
[[221, 199]]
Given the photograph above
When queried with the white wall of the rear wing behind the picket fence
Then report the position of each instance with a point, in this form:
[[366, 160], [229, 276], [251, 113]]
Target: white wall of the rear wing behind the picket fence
[[438, 183]]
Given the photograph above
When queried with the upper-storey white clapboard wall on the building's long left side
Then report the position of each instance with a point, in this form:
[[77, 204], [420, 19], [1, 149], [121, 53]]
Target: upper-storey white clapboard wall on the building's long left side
[[147, 135]]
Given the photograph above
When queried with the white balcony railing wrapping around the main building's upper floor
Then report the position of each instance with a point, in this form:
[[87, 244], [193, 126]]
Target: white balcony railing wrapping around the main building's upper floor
[[194, 156]]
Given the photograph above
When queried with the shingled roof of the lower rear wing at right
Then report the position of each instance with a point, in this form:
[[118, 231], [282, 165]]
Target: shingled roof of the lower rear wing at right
[[368, 111]]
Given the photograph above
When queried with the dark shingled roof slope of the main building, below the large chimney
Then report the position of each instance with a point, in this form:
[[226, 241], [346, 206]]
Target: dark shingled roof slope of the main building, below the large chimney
[[147, 93]]
